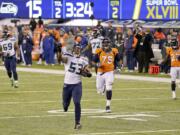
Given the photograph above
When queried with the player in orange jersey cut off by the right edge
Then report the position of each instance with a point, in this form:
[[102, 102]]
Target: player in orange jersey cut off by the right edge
[[174, 54]]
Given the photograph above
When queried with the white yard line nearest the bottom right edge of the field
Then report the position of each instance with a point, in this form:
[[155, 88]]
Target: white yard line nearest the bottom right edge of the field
[[131, 132]]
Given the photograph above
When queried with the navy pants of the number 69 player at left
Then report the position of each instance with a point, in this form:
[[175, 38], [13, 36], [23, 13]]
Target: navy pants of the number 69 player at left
[[10, 65]]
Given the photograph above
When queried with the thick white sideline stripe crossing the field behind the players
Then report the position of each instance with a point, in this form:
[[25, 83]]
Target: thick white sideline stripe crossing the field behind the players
[[124, 77]]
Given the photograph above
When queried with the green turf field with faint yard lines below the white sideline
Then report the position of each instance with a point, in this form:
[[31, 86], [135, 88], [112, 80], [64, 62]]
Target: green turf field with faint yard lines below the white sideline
[[138, 108]]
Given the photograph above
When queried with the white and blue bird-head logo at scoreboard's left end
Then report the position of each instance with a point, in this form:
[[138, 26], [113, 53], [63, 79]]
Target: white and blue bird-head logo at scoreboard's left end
[[8, 8]]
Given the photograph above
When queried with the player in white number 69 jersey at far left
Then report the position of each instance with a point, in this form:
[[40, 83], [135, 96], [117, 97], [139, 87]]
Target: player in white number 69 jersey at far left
[[8, 48]]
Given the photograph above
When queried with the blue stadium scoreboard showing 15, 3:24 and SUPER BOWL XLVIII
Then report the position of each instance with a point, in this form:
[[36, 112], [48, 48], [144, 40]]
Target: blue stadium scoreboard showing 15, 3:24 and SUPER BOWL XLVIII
[[98, 9]]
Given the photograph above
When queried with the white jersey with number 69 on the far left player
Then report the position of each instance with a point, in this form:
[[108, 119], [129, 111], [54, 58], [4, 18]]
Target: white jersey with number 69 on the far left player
[[8, 46]]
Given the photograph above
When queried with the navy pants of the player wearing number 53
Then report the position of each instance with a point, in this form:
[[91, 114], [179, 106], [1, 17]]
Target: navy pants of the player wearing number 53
[[73, 91]]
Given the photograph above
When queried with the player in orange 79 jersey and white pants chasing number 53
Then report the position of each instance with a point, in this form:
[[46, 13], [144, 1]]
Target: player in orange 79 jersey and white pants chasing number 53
[[105, 59]]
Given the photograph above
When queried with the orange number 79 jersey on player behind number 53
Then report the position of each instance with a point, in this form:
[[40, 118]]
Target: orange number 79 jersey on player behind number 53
[[106, 59]]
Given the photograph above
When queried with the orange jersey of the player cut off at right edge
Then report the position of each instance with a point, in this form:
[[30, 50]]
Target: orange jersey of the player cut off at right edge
[[174, 54]]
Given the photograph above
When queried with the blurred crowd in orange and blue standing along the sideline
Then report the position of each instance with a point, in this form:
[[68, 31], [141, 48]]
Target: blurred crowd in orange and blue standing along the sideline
[[44, 44]]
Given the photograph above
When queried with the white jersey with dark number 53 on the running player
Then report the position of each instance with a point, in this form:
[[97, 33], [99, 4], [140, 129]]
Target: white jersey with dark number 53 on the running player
[[73, 67]]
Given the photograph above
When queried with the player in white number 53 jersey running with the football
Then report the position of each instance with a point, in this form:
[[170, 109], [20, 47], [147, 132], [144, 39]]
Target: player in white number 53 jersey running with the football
[[75, 67]]
